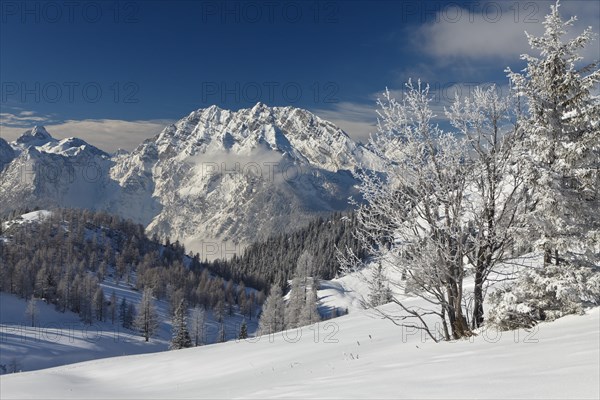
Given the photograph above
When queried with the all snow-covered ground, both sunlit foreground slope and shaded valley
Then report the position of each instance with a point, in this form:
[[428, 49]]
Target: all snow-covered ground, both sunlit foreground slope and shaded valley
[[358, 356]]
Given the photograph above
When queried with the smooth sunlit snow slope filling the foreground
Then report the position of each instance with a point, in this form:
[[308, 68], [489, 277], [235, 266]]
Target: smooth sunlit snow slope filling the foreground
[[352, 357]]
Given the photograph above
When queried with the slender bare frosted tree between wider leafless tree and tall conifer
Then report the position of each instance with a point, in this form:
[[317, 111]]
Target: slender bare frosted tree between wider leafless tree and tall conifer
[[495, 193]]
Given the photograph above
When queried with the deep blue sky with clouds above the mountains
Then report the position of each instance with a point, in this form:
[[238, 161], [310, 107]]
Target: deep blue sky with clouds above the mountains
[[156, 61]]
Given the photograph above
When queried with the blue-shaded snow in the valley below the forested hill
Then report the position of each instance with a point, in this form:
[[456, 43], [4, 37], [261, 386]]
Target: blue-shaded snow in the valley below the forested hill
[[61, 338]]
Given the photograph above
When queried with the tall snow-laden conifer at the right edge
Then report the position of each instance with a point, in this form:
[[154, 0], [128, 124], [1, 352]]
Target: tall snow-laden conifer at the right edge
[[562, 143]]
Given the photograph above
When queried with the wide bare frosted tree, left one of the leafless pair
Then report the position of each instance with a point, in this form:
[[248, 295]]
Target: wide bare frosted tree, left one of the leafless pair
[[413, 218]]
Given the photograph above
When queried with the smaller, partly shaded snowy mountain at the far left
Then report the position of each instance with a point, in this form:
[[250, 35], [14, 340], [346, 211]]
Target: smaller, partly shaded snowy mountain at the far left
[[39, 170]]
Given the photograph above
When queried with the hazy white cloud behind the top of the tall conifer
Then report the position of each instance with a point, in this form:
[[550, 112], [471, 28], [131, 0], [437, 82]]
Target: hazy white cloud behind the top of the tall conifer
[[496, 30]]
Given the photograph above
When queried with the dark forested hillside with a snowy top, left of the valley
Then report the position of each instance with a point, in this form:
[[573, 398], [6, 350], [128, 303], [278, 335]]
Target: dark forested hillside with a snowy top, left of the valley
[[63, 255]]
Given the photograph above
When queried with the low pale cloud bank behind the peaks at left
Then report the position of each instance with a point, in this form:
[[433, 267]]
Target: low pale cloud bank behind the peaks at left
[[106, 134]]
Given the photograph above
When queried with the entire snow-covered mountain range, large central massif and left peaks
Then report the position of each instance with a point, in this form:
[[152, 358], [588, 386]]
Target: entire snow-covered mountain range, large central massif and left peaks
[[213, 180]]
